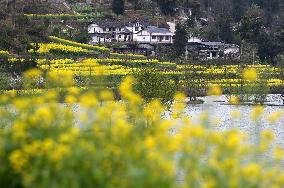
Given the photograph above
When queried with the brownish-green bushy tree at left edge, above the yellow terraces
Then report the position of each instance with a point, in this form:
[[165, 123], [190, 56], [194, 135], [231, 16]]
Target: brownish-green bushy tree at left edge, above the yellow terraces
[[18, 31]]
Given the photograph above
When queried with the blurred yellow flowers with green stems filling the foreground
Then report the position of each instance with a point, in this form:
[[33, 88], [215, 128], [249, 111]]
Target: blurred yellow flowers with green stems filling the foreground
[[126, 143]]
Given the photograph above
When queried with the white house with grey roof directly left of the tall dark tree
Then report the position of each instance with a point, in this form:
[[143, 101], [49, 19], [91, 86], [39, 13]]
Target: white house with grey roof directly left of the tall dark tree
[[152, 34]]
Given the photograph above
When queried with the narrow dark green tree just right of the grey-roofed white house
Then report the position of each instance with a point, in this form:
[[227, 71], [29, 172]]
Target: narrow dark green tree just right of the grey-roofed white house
[[180, 41]]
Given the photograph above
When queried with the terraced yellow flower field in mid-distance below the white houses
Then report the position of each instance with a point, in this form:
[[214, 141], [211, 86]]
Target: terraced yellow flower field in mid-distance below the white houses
[[62, 55]]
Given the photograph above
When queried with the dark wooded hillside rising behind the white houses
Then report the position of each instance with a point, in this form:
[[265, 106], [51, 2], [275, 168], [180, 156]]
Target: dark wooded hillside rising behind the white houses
[[255, 25]]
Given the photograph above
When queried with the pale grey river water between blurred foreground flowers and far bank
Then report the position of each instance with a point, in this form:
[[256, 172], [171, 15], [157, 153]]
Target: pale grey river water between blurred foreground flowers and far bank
[[220, 116]]
